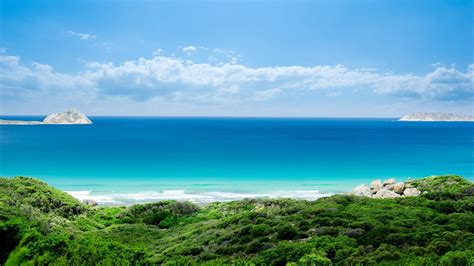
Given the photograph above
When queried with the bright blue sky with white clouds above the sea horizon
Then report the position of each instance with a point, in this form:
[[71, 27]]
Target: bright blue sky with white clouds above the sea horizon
[[338, 58]]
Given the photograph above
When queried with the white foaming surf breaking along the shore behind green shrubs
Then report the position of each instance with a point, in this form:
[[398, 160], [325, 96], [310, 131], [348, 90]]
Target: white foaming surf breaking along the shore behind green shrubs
[[182, 195]]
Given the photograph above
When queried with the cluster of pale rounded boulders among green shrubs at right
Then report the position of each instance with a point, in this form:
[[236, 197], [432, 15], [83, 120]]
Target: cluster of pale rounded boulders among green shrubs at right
[[390, 188]]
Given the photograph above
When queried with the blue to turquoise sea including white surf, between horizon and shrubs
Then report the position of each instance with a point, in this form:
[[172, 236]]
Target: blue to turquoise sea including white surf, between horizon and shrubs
[[122, 160]]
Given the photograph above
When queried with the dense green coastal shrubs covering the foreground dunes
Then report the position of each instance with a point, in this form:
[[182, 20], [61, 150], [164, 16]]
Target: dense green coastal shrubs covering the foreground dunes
[[42, 225]]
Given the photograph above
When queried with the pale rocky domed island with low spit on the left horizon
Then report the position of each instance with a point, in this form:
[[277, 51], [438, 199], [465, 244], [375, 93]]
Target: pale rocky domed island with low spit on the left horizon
[[69, 117]]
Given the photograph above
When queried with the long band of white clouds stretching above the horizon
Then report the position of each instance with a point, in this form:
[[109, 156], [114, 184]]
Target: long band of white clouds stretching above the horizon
[[177, 80]]
